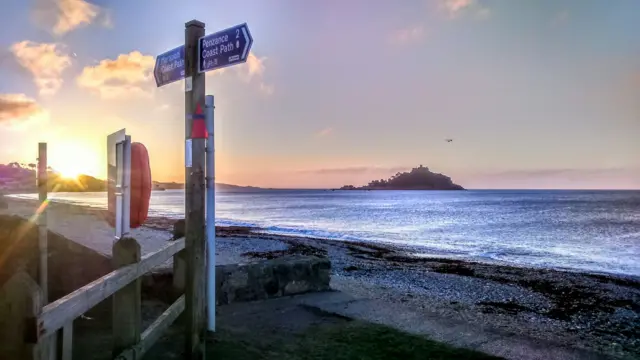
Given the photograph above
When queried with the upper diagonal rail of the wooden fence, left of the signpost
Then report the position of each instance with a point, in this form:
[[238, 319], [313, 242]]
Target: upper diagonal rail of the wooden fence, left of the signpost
[[65, 309]]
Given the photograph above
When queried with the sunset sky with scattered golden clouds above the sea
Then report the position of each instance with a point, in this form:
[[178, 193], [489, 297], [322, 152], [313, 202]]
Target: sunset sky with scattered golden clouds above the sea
[[534, 94]]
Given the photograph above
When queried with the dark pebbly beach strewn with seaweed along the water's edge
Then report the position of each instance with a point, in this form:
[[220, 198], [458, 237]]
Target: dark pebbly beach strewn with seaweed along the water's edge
[[582, 310]]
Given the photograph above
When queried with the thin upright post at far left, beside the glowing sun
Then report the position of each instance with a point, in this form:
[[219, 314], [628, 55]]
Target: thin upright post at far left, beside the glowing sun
[[42, 222]]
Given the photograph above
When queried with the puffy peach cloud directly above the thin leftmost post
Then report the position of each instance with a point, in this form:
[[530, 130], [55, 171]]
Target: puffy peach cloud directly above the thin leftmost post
[[45, 61]]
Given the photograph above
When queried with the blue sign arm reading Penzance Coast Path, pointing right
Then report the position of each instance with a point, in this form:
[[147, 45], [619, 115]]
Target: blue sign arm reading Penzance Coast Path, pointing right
[[224, 48]]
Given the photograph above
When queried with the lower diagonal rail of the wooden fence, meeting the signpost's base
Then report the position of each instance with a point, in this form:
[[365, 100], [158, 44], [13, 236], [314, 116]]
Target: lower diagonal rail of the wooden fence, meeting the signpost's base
[[154, 331]]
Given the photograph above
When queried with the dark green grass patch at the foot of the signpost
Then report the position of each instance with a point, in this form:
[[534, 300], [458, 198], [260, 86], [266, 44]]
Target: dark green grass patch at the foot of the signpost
[[344, 341]]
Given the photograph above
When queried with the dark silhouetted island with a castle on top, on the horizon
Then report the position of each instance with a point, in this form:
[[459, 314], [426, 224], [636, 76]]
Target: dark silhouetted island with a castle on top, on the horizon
[[420, 178]]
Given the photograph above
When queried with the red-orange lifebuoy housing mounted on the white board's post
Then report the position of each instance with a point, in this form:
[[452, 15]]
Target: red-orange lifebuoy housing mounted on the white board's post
[[140, 188]]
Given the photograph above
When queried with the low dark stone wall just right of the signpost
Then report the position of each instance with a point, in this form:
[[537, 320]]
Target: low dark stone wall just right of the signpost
[[265, 279]]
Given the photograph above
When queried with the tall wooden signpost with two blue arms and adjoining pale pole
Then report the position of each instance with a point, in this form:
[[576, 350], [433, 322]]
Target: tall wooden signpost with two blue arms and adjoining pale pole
[[190, 61]]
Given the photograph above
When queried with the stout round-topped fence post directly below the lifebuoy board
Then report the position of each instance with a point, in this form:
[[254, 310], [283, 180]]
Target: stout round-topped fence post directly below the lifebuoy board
[[127, 317]]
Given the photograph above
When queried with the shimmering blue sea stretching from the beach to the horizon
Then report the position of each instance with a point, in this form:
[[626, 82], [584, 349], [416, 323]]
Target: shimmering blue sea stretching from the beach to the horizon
[[593, 231]]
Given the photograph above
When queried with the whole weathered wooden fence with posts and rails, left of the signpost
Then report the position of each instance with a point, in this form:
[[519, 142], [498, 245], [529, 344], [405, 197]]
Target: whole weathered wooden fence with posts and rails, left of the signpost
[[124, 285]]
